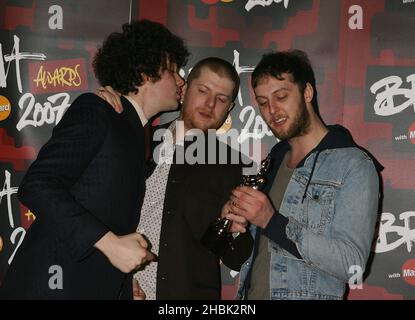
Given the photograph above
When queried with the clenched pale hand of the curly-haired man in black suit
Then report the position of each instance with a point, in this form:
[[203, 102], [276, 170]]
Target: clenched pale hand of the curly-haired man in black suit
[[126, 253]]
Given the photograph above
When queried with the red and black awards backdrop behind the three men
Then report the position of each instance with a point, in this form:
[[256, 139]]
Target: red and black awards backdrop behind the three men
[[363, 55]]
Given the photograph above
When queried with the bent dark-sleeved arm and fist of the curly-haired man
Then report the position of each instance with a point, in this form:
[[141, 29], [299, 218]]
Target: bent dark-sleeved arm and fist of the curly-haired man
[[45, 189]]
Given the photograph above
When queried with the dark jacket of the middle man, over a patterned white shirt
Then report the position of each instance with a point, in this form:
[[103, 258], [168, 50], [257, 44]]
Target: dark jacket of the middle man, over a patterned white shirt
[[194, 198]]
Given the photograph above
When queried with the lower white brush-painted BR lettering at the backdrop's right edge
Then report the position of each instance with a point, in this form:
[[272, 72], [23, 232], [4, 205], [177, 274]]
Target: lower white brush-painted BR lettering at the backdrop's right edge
[[392, 234]]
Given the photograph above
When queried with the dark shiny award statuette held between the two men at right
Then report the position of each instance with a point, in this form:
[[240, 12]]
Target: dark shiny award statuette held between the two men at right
[[217, 237]]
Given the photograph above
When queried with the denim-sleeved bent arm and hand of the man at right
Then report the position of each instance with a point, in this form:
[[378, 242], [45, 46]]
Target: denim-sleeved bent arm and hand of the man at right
[[352, 225]]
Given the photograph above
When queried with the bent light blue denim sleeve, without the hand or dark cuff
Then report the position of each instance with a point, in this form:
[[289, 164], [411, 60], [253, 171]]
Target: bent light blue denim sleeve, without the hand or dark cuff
[[352, 227]]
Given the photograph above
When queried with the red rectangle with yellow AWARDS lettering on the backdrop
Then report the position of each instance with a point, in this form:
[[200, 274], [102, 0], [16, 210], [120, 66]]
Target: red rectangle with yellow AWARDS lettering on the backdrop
[[57, 76]]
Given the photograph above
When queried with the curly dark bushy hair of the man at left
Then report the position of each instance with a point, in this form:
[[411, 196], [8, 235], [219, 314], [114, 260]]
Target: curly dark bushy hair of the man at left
[[143, 47]]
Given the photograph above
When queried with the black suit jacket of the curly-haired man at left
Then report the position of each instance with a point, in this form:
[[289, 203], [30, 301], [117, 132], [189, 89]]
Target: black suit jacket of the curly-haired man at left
[[87, 179]]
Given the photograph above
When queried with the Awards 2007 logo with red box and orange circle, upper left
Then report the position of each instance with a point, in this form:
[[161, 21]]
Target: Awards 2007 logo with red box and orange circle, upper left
[[48, 77]]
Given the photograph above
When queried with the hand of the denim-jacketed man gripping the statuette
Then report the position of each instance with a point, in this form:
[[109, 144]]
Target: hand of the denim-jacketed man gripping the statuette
[[251, 204]]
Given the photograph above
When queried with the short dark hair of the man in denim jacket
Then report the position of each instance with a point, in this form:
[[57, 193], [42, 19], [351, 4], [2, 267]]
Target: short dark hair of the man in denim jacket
[[294, 62]]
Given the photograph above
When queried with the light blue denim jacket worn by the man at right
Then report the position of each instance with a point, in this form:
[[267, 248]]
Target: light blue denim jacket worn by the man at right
[[330, 210]]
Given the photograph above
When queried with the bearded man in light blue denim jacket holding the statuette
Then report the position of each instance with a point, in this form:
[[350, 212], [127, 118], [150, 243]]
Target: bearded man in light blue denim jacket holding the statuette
[[314, 223]]
